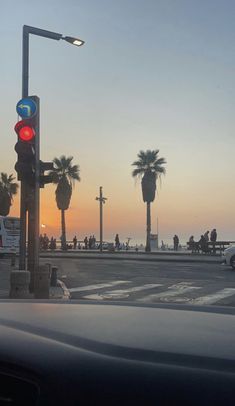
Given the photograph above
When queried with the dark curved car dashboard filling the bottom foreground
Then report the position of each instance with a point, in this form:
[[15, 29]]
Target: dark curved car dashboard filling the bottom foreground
[[114, 353]]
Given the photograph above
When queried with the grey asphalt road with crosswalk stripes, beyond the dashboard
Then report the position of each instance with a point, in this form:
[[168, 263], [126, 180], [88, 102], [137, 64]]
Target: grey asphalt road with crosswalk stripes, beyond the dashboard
[[147, 282]]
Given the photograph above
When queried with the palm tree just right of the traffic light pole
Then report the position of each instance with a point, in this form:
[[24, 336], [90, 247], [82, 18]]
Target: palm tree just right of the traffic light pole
[[64, 175]]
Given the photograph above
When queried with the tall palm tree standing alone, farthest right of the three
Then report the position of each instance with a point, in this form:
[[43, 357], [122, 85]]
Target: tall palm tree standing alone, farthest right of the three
[[149, 168]]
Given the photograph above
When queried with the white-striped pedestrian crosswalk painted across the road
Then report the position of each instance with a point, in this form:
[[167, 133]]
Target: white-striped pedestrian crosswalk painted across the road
[[181, 292]]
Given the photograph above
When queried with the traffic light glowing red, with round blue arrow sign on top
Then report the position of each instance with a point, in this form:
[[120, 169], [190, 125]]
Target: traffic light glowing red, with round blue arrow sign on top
[[27, 145]]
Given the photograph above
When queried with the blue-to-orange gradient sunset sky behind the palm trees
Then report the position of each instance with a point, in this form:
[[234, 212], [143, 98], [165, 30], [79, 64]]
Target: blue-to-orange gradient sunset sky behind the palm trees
[[153, 74]]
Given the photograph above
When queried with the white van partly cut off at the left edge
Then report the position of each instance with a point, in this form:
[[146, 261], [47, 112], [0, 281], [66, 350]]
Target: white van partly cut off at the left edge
[[9, 234]]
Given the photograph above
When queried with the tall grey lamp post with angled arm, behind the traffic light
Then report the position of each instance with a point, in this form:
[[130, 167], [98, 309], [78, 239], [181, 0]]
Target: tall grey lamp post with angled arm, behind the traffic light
[[26, 191]]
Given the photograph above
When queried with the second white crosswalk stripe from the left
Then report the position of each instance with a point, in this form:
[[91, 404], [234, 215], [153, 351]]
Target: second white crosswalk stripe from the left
[[121, 293]]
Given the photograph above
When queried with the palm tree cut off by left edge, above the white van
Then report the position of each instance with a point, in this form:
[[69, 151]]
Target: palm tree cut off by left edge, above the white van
[[8, 188]]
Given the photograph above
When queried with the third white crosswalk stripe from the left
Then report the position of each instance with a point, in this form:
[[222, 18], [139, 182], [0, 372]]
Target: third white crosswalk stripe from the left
[[174, 290]]
